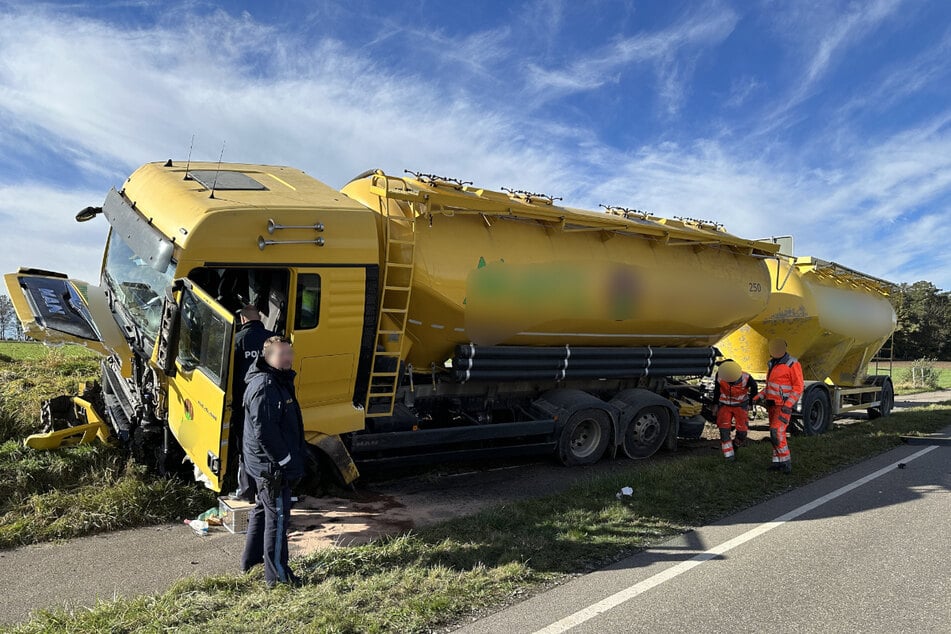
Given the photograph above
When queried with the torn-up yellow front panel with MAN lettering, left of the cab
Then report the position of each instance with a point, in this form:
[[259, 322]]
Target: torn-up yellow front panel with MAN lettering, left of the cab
[[55, 309]]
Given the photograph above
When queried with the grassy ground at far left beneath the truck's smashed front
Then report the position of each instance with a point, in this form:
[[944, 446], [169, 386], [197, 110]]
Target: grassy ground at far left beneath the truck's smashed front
[[48, 495]]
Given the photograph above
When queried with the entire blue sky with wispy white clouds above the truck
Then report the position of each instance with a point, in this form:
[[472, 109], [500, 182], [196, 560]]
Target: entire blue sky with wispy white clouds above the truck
[[827, 120]]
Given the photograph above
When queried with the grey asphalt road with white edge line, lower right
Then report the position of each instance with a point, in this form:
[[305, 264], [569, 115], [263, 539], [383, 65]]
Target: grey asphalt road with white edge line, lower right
[[867, 549]]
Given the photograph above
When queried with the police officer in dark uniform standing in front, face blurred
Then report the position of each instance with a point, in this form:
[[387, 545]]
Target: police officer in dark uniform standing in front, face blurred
[[274, 455]]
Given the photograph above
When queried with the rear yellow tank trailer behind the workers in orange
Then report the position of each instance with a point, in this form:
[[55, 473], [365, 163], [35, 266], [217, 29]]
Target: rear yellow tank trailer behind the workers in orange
[[835, 320]]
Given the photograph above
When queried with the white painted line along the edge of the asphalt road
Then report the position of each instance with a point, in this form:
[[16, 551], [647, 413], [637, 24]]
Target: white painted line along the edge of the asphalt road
[[611, 602]]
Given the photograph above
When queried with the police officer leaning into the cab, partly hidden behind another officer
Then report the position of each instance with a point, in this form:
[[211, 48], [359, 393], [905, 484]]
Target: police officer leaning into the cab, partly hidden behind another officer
[[248, 343]]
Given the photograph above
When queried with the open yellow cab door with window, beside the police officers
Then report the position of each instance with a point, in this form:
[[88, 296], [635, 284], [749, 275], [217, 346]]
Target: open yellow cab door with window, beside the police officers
[[198, 414]]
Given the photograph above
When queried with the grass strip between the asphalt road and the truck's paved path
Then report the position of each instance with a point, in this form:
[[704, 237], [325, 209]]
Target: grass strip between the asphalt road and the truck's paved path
[[438, 575]]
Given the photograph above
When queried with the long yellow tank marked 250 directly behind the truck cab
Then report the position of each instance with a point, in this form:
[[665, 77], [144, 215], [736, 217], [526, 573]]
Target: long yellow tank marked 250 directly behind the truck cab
[[514, 268]]
